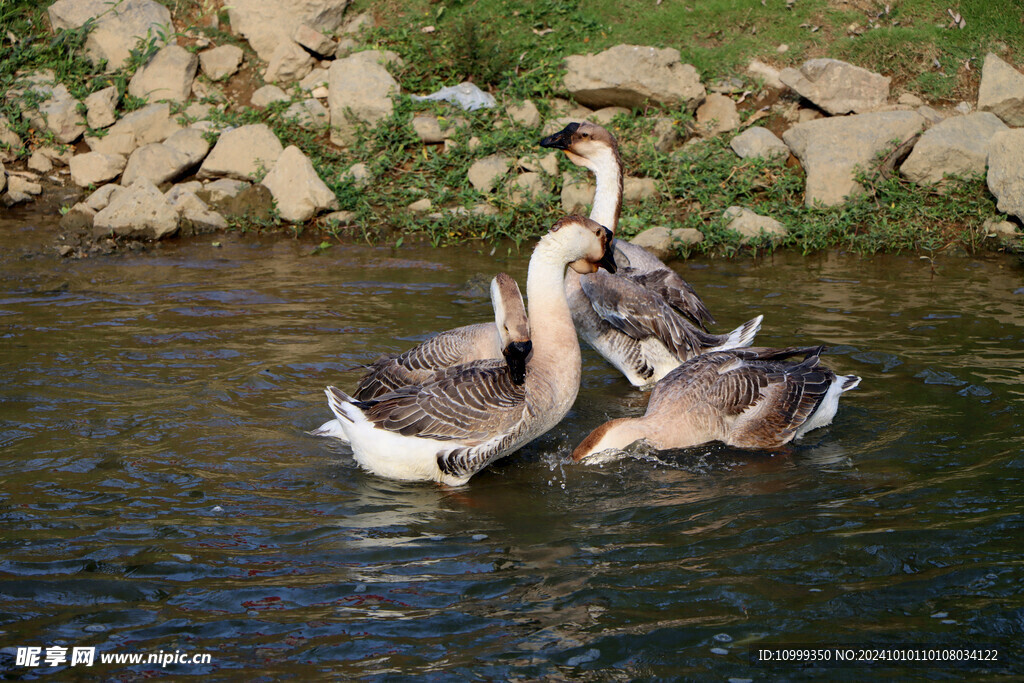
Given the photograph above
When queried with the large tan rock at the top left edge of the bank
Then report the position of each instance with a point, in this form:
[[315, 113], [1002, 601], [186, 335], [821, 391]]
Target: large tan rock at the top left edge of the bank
[[117, 28]]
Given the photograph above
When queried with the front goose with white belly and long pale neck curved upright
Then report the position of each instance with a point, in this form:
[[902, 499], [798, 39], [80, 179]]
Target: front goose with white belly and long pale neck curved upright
[[463, 418]]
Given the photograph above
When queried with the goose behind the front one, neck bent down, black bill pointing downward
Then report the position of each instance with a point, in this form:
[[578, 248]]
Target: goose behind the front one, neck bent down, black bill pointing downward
[[507, 337]]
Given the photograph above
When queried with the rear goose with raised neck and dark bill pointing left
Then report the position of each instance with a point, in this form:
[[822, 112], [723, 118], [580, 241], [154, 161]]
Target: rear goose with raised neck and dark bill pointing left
[[646, 320]]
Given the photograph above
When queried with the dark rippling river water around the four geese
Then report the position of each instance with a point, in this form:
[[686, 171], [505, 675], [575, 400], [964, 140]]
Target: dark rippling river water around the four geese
[[158, 491]]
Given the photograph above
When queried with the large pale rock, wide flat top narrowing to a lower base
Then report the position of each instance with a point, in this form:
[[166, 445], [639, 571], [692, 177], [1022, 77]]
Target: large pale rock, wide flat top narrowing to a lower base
[[832, 149]]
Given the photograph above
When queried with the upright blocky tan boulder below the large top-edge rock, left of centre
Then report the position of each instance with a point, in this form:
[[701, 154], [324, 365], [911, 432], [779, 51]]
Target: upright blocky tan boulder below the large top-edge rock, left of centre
[[361, 89]]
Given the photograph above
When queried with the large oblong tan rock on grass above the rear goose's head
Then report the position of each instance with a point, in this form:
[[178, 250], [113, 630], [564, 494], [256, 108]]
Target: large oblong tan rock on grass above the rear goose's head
[[631, 76]]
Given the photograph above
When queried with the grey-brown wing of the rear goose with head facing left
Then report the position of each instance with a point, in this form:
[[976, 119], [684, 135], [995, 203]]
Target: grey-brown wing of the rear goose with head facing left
[[641, 314]]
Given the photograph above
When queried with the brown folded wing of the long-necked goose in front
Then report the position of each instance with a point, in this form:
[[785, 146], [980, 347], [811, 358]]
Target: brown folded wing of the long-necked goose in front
[[470, 403]]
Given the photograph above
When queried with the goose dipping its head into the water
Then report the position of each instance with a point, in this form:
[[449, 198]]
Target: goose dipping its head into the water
[[747, 399]]
